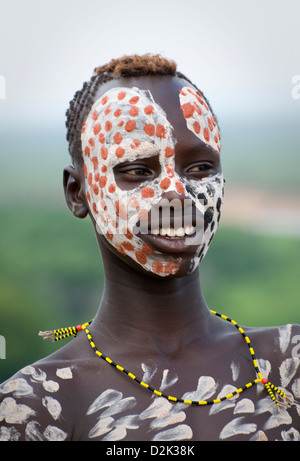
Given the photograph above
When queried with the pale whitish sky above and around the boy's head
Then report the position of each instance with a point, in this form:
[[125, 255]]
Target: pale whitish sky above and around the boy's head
[[240, 53]]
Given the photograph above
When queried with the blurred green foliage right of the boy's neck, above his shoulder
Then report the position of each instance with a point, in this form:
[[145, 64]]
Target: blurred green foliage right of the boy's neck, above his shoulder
[[252, 277]]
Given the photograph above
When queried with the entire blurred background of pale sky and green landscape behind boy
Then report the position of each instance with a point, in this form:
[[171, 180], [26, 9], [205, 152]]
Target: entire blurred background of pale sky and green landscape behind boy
[[50, 267]]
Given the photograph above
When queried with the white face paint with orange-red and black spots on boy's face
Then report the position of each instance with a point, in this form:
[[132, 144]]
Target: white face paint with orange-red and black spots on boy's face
[[126, 124]]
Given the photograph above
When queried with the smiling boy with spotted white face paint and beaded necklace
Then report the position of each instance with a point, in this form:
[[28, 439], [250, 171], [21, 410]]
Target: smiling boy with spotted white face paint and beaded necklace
[[155, 363]]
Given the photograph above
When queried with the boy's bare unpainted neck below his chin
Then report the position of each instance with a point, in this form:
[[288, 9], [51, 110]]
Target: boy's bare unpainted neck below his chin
[[150, 310]]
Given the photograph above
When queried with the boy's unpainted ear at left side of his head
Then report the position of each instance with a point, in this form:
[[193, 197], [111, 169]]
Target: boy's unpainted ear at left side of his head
[[74, 192]]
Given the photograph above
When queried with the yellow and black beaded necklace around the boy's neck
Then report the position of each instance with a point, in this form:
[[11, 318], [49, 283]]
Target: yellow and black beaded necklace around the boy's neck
[[63, 333]]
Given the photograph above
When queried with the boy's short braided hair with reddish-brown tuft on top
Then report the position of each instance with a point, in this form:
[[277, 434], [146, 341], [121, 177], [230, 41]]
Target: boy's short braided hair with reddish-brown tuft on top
[[126, 66]]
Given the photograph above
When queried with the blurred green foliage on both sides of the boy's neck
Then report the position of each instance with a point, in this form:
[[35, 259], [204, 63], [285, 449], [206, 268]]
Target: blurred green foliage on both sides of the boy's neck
[[51, 276]]
